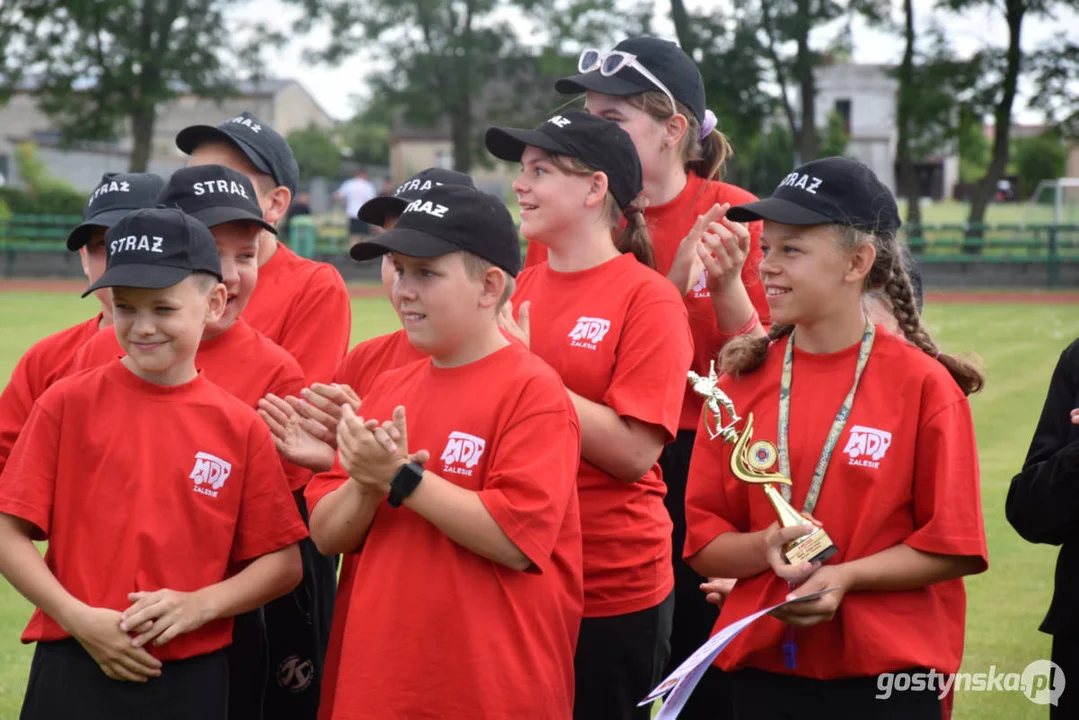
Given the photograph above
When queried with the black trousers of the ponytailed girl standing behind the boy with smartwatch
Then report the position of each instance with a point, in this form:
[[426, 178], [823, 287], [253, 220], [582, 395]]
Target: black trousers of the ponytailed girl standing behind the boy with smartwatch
[[619, 661]]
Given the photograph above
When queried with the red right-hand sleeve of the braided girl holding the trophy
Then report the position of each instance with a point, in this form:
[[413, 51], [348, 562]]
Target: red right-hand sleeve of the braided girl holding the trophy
[[948, 507]]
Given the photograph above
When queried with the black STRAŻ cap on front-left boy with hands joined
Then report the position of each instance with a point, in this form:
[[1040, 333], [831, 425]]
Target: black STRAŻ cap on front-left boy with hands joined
[[157, 248]]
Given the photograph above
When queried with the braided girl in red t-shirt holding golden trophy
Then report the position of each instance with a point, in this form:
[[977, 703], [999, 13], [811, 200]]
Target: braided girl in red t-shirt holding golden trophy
[[884, 418]]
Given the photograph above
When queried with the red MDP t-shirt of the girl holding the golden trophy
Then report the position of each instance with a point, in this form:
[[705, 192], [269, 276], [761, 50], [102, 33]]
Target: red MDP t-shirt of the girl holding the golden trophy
[[905, 471]]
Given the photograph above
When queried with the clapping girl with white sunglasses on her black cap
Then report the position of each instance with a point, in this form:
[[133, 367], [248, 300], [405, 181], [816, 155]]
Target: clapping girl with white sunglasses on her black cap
[[655, 92]]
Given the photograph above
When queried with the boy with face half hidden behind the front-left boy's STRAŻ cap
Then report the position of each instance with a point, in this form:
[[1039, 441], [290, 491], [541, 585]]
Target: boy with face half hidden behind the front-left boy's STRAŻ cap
[[248, 365]]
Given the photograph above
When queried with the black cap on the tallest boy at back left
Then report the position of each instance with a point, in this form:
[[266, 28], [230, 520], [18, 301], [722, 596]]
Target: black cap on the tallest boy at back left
[[264, 146]]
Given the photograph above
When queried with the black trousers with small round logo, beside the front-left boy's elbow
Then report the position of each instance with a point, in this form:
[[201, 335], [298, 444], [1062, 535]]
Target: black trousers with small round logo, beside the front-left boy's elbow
[[278, 653]]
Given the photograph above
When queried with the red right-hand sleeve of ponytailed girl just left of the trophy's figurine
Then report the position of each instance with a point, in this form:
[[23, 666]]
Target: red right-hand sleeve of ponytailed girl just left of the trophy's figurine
[[654, 355]]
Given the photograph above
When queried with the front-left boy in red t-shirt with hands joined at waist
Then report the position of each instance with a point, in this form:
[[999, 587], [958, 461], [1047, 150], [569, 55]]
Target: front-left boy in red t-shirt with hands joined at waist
[[193, 519]]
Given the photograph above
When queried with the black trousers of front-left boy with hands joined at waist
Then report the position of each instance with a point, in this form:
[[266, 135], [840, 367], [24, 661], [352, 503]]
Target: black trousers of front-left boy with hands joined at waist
[[66, 684]]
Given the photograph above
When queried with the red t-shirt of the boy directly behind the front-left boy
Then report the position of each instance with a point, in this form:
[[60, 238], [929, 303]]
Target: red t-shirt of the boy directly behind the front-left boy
[[241, 361]]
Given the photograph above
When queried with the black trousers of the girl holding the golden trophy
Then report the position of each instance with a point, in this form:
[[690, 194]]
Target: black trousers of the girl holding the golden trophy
[[760, 696]]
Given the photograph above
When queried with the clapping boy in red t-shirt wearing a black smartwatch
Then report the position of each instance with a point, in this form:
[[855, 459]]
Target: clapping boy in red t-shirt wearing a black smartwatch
[[493, 520]]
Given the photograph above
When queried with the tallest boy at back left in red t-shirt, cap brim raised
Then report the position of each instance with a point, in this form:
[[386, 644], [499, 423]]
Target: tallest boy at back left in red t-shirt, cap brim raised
[[299, 304]]
